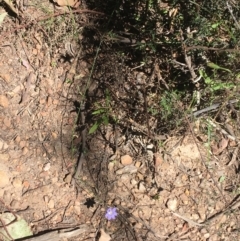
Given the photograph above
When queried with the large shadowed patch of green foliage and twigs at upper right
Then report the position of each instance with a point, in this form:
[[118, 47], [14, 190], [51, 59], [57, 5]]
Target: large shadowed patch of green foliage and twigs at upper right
[[165, 32]]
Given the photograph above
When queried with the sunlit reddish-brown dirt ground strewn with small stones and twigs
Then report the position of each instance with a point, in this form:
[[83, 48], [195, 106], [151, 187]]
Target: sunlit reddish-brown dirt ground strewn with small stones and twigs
[[184, 190]]
